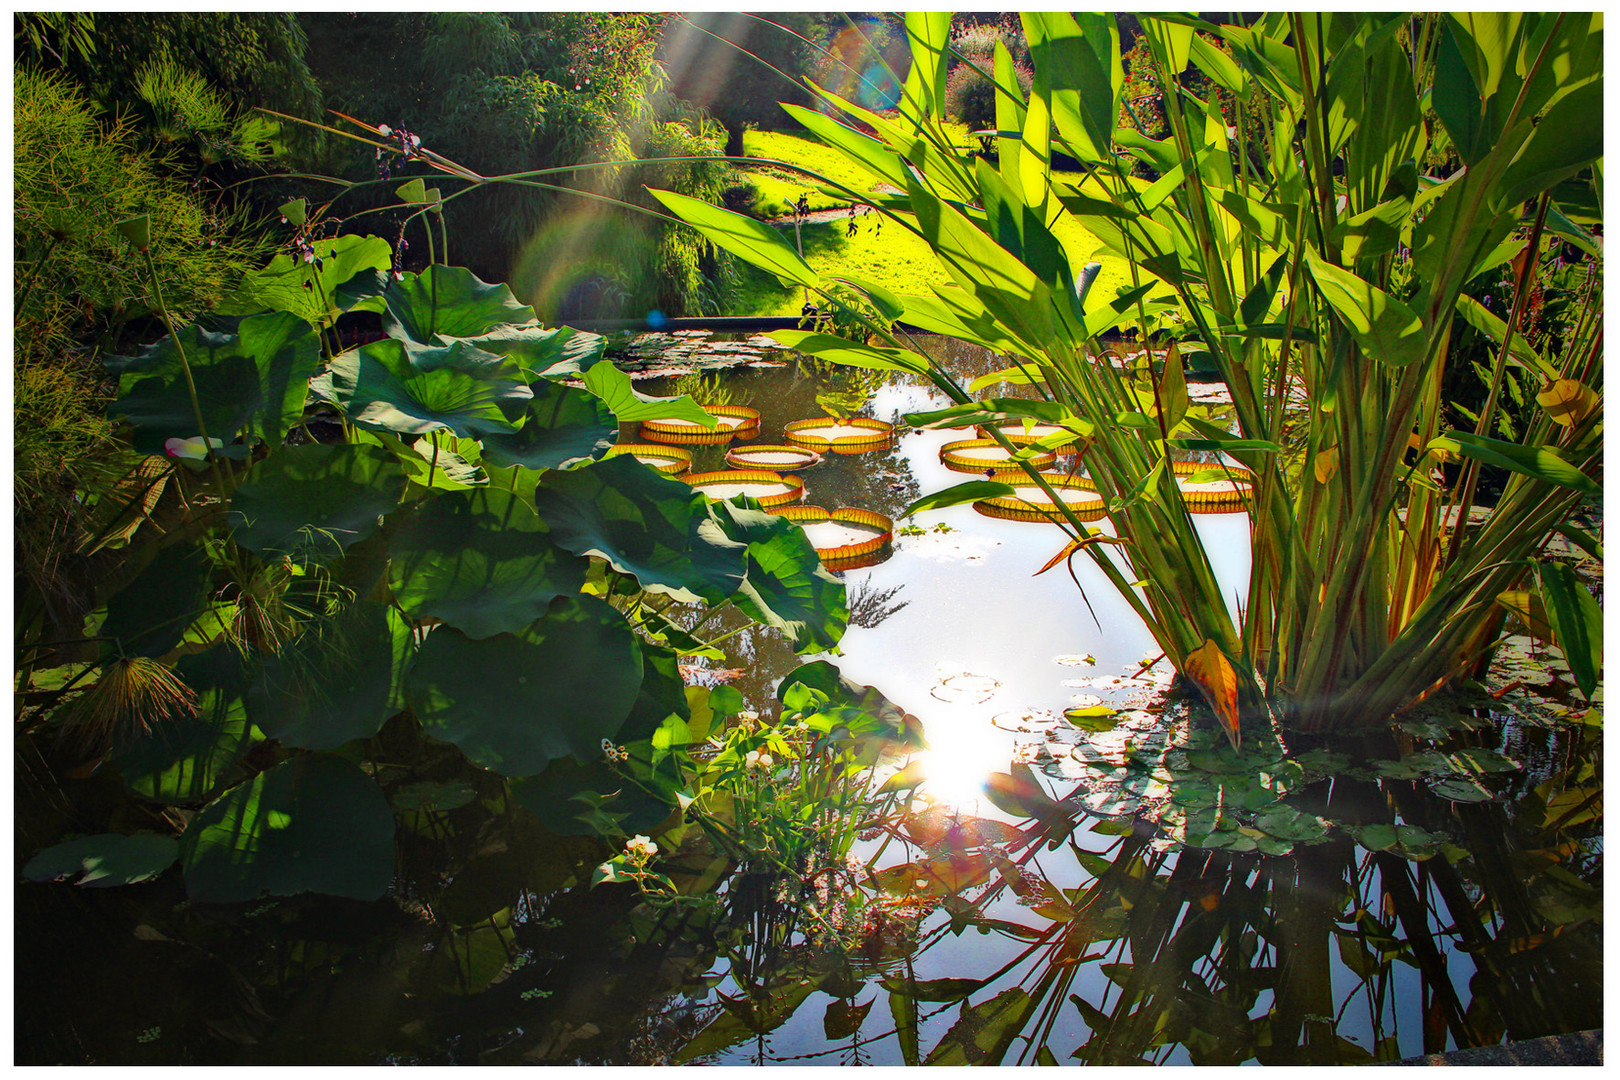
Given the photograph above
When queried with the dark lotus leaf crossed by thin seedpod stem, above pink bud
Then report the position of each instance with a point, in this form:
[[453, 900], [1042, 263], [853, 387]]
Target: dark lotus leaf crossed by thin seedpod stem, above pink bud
[[252, 380]]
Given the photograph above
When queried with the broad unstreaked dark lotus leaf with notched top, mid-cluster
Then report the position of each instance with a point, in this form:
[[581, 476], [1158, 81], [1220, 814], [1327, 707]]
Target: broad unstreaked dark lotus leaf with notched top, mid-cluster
[[514, 704]]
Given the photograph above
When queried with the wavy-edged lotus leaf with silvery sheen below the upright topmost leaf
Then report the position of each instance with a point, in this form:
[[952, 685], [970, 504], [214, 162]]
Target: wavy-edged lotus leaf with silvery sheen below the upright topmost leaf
[[380, 388]]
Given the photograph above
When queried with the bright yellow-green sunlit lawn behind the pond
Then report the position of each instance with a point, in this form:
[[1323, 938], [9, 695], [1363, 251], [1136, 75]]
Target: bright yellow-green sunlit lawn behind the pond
[[893, 258]]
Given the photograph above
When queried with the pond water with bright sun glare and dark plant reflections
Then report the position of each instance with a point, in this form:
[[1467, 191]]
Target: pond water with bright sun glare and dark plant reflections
[[1120, 888]]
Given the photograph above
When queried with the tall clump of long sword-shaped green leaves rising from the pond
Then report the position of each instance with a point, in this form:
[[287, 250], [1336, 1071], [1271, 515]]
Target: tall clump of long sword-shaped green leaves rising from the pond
[[1321, 205]]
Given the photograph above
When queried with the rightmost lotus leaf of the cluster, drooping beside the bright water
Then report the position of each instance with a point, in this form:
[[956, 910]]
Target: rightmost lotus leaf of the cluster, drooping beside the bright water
[[787, 587]]
